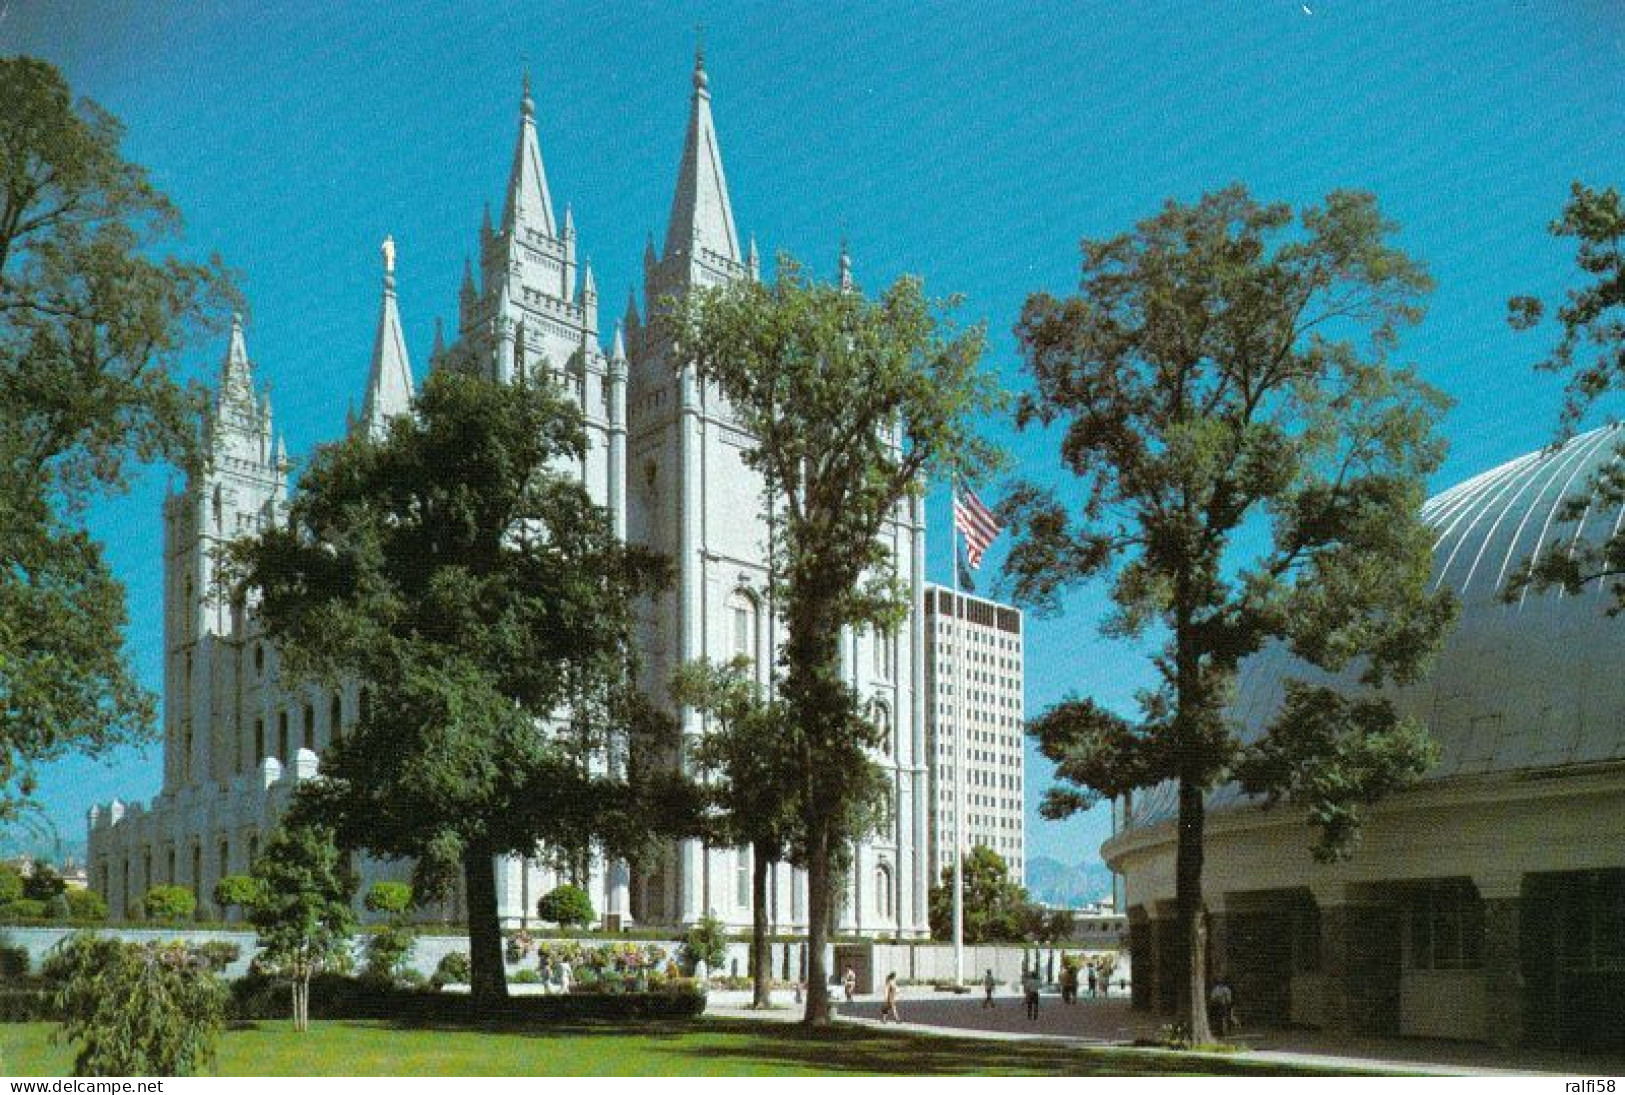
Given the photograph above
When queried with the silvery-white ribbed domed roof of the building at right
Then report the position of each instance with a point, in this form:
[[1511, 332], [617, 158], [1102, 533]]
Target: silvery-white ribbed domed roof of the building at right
[[1536, 683]]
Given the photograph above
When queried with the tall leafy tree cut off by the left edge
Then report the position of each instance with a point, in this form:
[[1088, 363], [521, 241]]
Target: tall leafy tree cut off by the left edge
[[92, 326]]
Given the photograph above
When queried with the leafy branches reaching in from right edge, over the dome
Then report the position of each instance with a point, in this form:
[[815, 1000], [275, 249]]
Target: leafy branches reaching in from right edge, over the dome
[[1592, 353]]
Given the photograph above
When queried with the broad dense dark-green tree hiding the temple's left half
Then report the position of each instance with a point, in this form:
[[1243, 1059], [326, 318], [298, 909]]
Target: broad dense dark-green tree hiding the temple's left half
[[461, 569]]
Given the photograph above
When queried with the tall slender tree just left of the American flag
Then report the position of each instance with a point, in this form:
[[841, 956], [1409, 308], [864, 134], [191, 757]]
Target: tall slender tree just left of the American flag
[[851, 407]]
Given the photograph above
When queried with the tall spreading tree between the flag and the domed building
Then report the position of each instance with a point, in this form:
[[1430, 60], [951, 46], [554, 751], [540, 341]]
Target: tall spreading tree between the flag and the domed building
[[1249, 470]]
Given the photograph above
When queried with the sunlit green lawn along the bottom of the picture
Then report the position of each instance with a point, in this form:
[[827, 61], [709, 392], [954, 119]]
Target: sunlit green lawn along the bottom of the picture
[[646, 1049]]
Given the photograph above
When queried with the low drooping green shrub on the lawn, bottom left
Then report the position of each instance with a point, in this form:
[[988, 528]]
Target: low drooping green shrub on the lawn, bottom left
[[136, 1008]]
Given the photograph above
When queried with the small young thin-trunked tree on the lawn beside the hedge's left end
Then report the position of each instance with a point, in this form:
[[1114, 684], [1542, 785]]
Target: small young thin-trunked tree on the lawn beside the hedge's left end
[[303, 915]]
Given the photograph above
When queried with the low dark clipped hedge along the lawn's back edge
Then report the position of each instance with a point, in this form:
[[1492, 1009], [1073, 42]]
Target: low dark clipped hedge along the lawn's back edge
[[334, 997]]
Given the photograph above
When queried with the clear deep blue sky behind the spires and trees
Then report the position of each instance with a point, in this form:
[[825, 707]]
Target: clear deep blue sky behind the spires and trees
[[973, 144]]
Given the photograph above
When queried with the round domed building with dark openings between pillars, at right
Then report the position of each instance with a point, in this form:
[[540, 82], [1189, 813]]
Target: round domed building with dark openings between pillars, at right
[[1489, 901]]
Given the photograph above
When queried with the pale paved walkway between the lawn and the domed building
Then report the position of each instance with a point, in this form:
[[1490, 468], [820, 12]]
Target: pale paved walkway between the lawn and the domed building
[[1111, 1023]]
